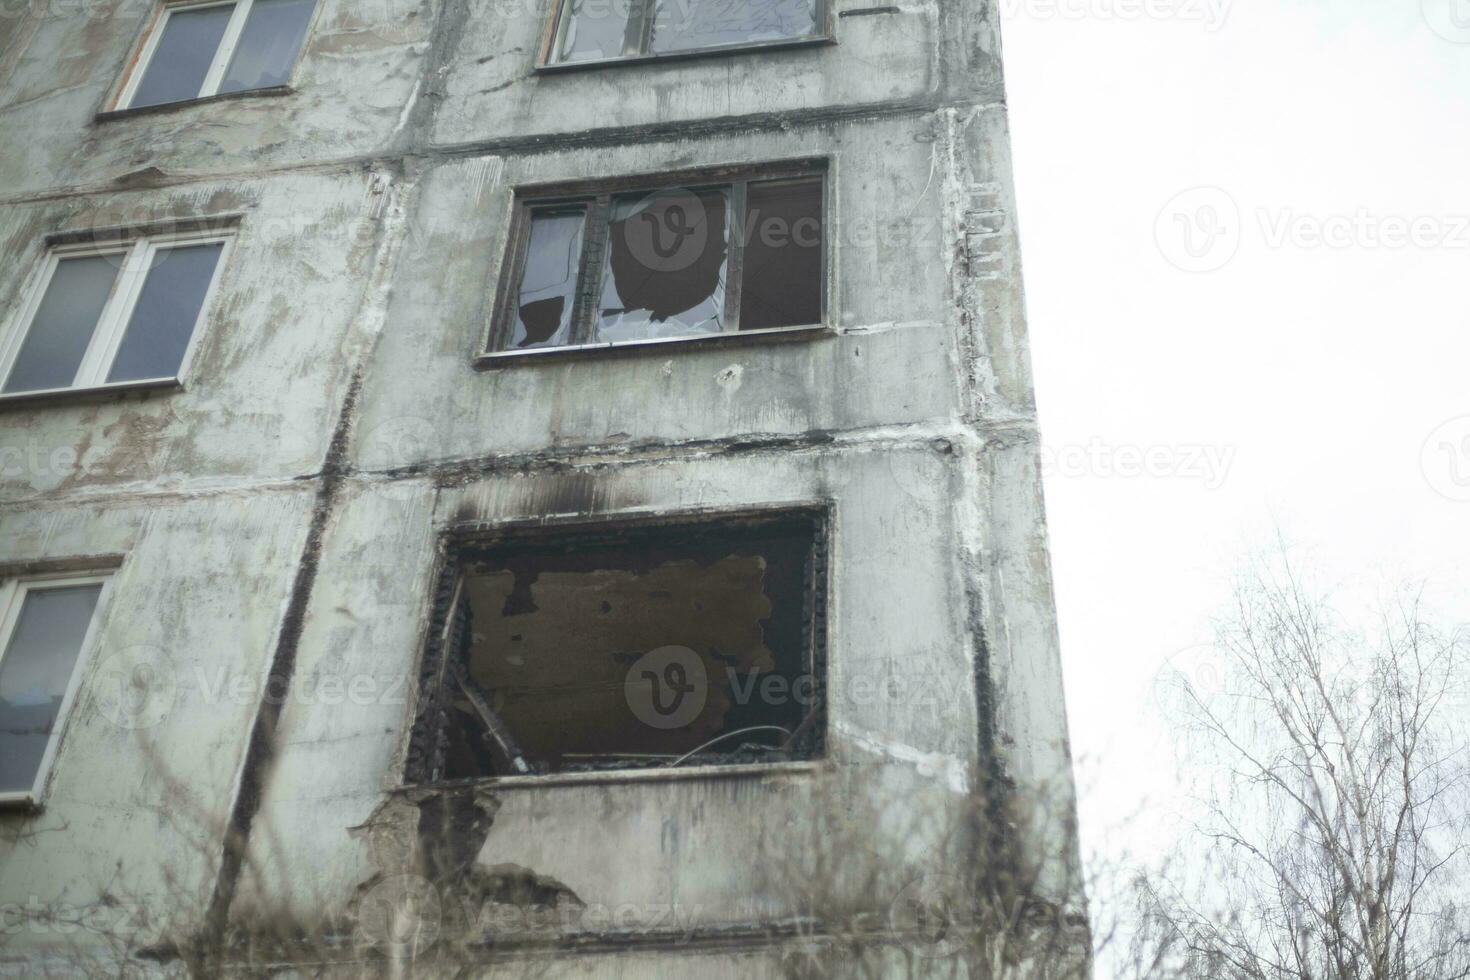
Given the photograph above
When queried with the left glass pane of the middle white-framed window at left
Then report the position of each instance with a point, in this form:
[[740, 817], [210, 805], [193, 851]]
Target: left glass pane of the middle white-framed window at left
[[64, 324]]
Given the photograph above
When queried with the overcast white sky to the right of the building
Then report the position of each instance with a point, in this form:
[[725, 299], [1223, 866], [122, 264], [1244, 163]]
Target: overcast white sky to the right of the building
[[1256, 370]]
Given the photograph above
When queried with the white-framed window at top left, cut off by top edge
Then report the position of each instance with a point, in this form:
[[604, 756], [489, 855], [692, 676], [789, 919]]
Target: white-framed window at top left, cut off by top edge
[[211, 48]]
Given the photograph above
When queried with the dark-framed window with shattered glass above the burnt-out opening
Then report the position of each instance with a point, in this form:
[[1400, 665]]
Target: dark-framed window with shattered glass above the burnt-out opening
[[624, 264]]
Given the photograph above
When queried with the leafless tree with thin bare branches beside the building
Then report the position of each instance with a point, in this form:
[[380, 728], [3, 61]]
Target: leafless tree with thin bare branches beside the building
[[1333, 838]]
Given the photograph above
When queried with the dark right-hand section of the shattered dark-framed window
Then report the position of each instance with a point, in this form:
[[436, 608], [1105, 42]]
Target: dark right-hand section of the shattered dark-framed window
[[781, 278]]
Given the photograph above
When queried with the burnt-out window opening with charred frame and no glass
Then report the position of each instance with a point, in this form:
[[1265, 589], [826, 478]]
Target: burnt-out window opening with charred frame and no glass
[[648, 647]]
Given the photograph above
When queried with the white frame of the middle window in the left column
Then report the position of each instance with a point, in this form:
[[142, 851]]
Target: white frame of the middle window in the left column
[[112, 325]]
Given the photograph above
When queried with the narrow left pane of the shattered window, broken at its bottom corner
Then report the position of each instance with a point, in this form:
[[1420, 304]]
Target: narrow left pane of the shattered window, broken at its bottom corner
[[549, 280]]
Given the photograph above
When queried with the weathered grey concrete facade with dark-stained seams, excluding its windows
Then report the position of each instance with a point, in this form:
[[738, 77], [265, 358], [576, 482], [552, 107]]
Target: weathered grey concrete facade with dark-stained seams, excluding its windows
[[279, 524]]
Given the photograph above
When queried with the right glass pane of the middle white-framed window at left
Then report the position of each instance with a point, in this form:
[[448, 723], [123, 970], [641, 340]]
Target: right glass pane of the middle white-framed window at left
[[167, 312]]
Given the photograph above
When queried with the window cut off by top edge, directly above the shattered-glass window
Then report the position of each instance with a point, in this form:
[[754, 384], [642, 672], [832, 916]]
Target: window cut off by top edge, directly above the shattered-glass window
[[602, 30]]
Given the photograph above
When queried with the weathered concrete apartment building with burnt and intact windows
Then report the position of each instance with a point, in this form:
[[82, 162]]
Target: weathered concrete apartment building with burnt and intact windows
[[548, 486]]
